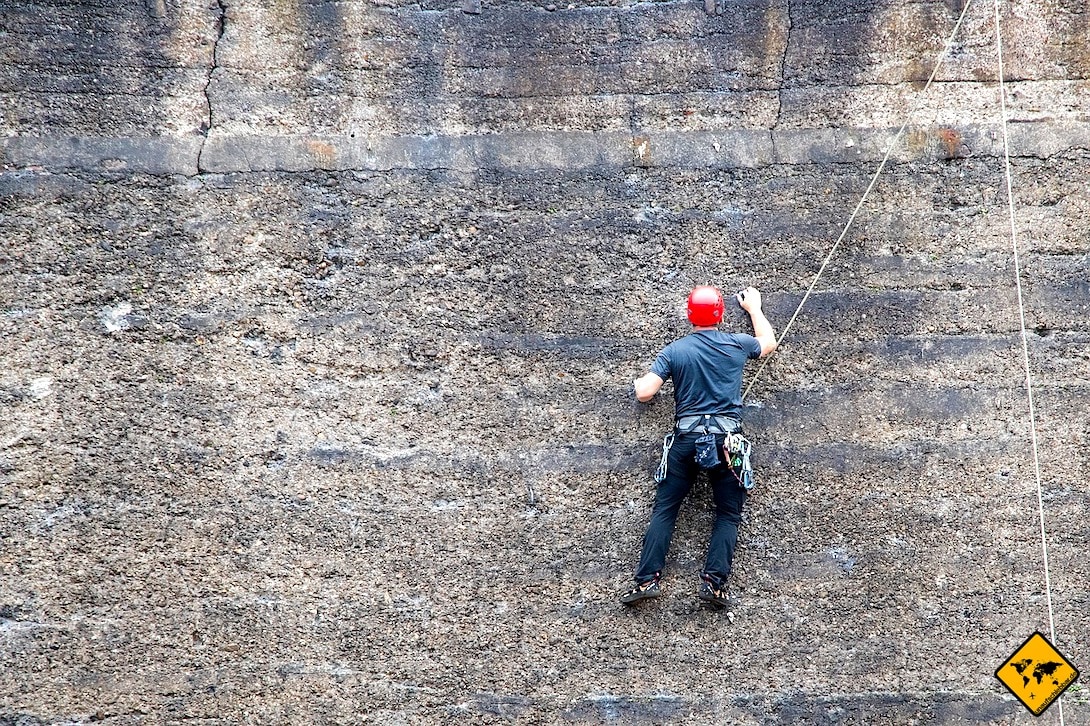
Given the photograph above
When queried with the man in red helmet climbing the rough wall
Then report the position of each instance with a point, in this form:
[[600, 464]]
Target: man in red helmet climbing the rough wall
[[707, 368]]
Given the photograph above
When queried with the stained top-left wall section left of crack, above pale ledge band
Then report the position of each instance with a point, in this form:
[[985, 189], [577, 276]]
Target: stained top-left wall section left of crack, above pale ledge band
[[137, 70]]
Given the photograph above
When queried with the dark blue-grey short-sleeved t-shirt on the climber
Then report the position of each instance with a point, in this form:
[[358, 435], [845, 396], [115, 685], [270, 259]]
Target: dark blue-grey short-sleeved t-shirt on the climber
[[707, 367]]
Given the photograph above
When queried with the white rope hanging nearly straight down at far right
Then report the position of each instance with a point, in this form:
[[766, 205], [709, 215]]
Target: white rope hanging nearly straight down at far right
[[1025, 335]]
